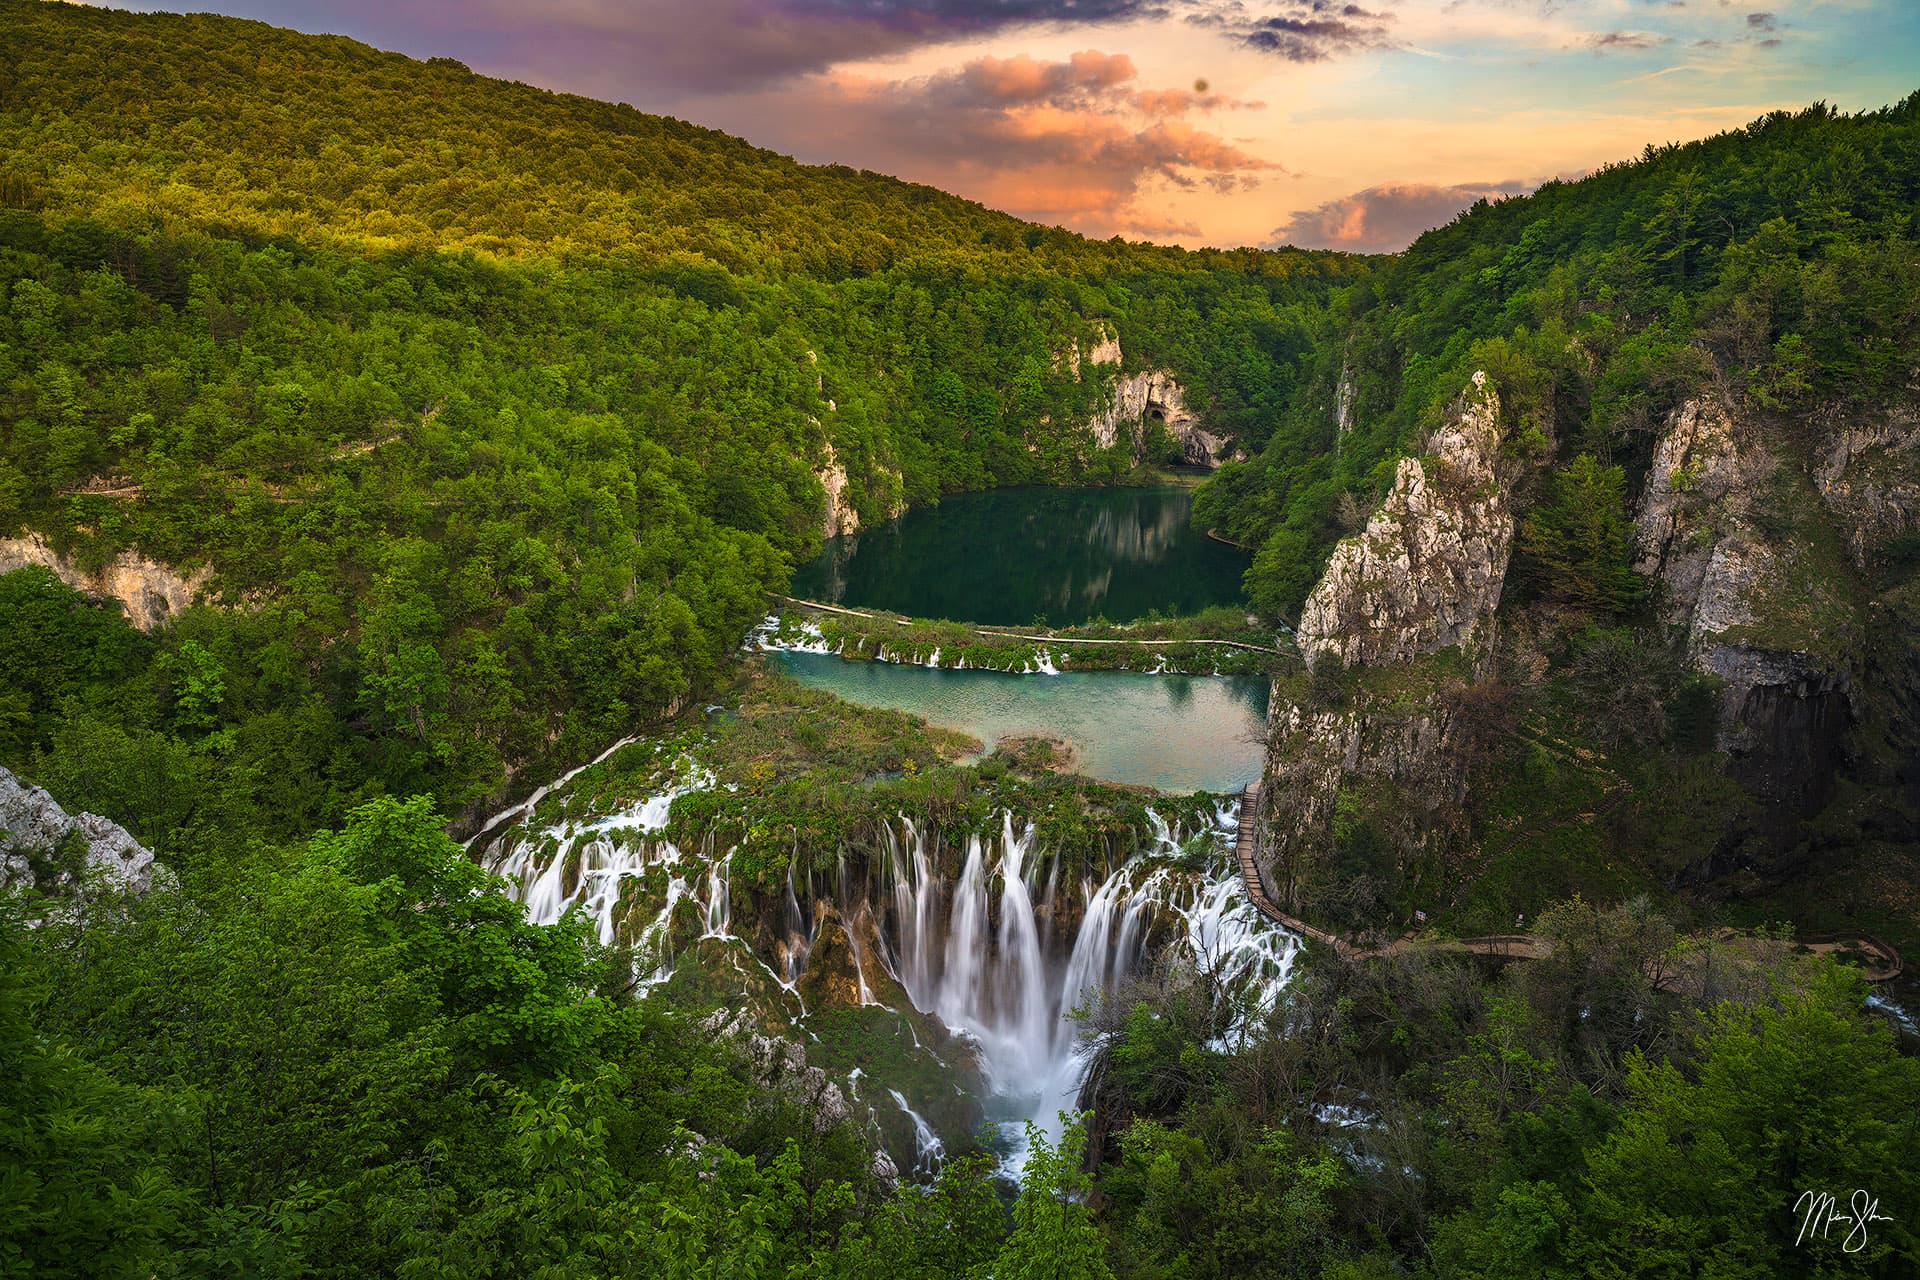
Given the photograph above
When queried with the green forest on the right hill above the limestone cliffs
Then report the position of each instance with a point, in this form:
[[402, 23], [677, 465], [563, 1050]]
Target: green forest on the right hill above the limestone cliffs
[[1777, 260]]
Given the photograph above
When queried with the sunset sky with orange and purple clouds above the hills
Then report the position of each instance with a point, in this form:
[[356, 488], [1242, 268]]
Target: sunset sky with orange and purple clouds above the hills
[[1326, 124]]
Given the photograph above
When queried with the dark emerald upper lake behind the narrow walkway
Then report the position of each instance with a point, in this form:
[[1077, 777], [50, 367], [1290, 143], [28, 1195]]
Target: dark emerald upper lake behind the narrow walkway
[[1030, 556]]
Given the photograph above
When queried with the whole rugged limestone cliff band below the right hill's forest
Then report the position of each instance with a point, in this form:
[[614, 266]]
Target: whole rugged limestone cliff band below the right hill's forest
[[1781, 556]]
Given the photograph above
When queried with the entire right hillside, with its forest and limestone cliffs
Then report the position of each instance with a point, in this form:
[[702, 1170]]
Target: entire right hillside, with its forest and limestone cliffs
[[1623, 481]]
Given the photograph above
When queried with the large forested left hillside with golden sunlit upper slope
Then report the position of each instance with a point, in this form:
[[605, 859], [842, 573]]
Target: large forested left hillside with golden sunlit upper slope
[[496, 412]]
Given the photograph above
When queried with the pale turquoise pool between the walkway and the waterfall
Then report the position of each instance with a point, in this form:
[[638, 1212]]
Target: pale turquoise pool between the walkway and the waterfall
[[1170, 732]]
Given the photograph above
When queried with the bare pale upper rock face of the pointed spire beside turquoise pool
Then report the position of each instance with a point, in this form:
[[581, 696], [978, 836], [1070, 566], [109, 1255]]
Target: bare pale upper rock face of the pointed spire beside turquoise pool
[[1429, 567]]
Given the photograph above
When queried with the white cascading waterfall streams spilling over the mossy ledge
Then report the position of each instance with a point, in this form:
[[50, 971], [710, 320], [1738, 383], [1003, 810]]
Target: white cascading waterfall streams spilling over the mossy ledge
[[990, 955]]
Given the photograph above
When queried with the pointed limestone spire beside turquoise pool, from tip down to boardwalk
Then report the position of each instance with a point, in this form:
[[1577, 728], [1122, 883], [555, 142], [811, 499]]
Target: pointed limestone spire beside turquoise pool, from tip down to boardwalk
[[1362, 751]]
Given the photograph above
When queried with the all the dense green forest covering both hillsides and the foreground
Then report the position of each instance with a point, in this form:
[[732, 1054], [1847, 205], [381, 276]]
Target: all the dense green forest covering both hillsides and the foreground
[[496, 414]]
